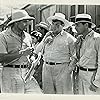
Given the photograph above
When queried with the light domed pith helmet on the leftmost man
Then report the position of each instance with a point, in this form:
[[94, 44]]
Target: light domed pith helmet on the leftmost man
[[19, 15]]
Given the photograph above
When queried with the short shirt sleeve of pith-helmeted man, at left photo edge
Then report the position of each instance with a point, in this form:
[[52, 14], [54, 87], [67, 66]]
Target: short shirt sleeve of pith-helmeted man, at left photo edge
[[3, 44]]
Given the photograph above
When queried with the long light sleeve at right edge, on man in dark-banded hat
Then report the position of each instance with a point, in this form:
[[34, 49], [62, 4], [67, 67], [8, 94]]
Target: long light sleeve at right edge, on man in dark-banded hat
[[96, 82]]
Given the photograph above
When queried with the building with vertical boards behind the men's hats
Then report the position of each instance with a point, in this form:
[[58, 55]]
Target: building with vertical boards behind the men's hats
[[41, 12]]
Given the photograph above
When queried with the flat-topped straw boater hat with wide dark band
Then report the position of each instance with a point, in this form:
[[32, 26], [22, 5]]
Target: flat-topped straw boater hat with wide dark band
[[84, 18]]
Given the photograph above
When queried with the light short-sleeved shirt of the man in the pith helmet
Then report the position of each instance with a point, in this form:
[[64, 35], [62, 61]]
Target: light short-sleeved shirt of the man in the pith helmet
[[9, 43]]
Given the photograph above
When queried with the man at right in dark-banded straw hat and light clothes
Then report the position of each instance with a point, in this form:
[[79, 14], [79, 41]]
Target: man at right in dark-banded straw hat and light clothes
[[89, 55]]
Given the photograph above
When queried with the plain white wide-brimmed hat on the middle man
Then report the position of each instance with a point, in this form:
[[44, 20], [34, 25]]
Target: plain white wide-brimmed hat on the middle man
[[60, 17]]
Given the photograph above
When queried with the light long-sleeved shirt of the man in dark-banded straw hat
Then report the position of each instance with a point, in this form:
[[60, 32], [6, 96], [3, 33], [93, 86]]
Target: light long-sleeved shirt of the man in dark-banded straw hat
[[90, 54]]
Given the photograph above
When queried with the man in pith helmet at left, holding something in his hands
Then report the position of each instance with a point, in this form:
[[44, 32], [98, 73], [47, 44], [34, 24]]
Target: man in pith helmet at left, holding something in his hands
[[13, 55]]
